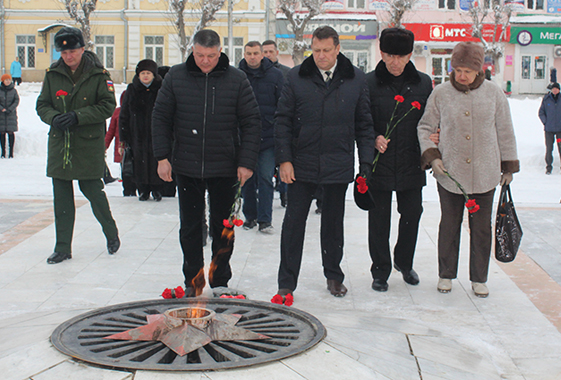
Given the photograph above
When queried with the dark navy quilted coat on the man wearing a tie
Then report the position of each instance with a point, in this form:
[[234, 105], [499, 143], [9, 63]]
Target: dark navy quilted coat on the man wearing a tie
[[317, 126]]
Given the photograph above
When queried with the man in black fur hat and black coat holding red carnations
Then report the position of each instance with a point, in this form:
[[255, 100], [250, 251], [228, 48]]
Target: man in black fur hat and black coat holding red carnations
[[398, 168]]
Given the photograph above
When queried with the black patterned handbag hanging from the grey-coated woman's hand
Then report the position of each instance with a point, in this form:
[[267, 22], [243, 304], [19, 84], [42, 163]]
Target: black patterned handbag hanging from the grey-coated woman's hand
[[508, 232]]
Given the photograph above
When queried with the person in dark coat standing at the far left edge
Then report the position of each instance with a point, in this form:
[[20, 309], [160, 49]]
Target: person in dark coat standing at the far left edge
[[9, 101]]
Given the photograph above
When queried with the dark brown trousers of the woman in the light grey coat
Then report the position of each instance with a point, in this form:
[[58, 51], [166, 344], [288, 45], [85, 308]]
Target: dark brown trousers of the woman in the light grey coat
[[452, 208]]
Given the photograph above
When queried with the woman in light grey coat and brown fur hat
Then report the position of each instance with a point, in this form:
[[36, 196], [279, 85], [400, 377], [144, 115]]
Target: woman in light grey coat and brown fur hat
[[476, 147]]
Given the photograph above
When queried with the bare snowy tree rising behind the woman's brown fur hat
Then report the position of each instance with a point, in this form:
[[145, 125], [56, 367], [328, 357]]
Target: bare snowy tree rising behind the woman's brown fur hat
[[500, 15]]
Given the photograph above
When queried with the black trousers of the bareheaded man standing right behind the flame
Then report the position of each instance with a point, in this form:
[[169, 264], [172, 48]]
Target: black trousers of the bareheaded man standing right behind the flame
[[221, 193]]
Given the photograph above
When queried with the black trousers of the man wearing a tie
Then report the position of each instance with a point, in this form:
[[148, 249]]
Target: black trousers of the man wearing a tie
[[294, 229]]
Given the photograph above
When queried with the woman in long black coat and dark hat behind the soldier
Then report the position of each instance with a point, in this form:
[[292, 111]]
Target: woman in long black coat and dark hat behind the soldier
[[135, 123]]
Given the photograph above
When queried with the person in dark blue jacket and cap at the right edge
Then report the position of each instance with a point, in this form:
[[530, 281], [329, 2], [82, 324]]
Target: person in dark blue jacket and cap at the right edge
[[550, 115]]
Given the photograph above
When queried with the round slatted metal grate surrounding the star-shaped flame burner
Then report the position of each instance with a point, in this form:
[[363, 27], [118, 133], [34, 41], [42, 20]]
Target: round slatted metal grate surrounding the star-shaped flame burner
[[292, 331]]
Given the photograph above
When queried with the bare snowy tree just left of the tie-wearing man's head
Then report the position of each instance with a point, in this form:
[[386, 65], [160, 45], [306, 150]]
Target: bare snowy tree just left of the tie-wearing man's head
[[298, 21]]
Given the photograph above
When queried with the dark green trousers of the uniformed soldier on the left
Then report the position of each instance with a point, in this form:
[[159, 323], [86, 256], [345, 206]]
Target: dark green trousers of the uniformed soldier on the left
[[65, 210]]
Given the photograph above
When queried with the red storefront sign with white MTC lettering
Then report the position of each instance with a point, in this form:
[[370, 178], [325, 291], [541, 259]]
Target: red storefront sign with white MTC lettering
[[452, 32]]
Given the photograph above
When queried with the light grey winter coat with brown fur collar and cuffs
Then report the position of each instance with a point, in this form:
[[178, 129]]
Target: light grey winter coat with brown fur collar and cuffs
[[477, 140]]
